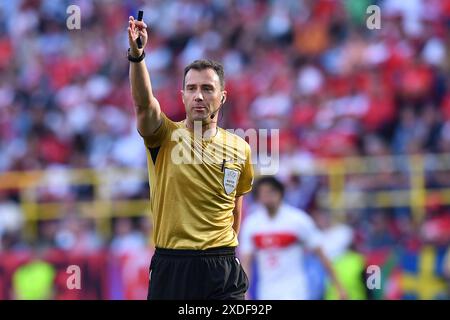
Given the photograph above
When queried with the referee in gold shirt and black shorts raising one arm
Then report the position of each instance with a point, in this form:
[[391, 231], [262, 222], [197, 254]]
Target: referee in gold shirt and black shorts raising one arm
[[196, 205]]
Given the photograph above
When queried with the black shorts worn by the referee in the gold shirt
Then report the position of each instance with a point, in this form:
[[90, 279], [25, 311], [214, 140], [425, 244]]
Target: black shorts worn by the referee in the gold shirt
[[196, 275]]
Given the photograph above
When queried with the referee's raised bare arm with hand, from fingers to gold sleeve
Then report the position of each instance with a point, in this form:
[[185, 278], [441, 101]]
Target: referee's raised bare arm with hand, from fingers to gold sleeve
[[148, 111]]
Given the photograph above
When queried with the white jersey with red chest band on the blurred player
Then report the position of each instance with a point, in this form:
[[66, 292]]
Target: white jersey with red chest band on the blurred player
[[278, 244]]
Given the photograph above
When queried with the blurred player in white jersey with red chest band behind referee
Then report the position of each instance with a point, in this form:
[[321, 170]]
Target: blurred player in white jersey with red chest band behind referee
[[276, 235]]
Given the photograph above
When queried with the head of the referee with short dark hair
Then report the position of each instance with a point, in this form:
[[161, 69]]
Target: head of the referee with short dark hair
[[202, 94]]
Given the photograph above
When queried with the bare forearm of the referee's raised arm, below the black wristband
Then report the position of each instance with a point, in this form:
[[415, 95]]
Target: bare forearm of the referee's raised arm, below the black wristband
[[141, 87]]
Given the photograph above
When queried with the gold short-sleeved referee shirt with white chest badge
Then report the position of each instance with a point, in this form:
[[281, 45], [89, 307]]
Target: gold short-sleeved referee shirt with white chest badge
[[193, 185]]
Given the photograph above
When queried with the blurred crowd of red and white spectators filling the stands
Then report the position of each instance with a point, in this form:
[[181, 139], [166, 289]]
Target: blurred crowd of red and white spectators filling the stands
[[313, 69]]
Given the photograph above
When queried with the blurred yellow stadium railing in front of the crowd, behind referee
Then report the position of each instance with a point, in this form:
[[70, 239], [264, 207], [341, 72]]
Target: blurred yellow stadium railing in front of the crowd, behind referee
[[338, 195]]
